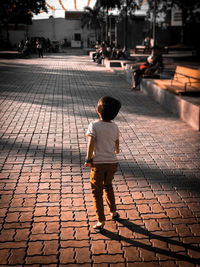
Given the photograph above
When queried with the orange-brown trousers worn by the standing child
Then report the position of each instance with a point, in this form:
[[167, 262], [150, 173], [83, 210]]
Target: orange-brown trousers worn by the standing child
[[101, 177]]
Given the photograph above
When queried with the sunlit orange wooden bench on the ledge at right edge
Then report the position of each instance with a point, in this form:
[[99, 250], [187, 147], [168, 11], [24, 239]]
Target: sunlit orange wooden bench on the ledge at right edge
[[185, 81]]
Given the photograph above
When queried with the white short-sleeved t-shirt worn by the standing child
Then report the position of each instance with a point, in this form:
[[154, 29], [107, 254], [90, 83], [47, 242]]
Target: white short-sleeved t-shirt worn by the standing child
[[105, 134]]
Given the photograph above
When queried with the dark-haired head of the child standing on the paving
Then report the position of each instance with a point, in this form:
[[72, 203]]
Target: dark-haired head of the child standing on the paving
[[108, 108]]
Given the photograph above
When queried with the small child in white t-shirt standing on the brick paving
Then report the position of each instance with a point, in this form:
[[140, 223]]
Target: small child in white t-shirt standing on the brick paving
[[103, 145]]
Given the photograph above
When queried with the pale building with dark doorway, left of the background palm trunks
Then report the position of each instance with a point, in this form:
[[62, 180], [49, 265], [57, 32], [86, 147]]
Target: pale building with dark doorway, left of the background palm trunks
[[56, 29]]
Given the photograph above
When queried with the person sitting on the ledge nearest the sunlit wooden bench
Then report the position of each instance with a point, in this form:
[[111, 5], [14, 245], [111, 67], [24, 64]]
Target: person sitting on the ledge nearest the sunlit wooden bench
[[153, 63]]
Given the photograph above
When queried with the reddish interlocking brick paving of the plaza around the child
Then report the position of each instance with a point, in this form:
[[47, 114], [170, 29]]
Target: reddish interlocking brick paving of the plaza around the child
[[46, 212]]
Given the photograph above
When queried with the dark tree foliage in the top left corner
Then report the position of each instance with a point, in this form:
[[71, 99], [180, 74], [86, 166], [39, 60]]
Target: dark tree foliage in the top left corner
[[20, 11]]
